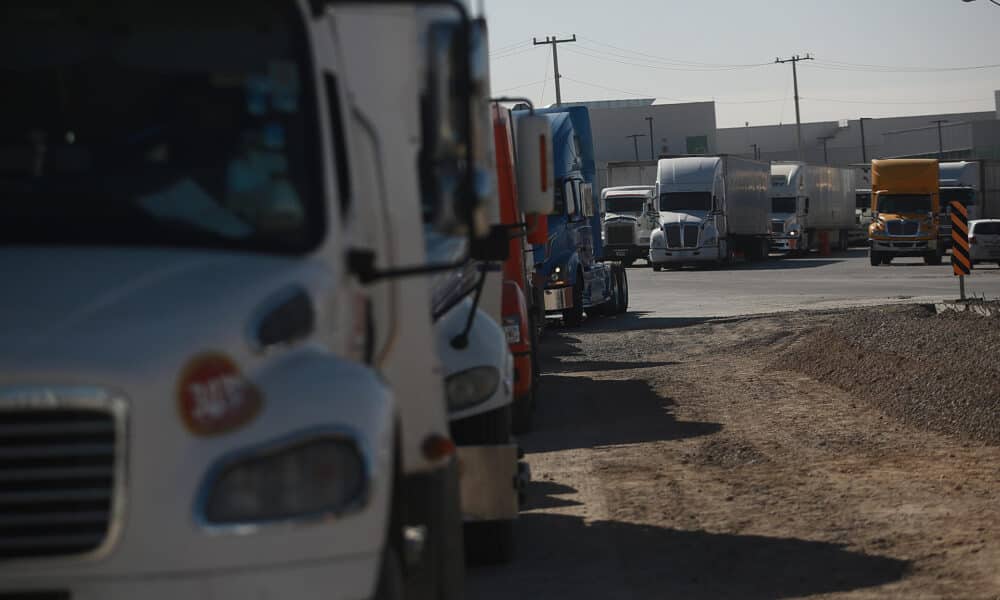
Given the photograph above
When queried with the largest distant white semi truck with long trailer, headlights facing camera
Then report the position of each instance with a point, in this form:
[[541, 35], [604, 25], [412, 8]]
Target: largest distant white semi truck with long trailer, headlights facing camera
[[711, 208]]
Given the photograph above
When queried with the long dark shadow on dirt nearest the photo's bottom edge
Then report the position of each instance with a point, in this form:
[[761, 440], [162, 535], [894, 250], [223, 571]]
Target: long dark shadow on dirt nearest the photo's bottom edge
[[562, 557]]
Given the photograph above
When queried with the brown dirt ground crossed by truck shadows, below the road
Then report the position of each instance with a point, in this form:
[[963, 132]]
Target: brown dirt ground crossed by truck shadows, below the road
[[680, 458]]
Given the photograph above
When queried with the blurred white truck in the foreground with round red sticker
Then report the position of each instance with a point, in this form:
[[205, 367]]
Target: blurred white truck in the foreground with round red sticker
[[219, 374]]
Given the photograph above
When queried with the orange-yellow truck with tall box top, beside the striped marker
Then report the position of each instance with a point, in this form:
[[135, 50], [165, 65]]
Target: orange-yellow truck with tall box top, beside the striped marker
[[905, 209]]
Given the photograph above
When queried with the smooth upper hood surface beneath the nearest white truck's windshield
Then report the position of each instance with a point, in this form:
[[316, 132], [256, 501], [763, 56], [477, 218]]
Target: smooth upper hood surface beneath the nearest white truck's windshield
[[78, 303]]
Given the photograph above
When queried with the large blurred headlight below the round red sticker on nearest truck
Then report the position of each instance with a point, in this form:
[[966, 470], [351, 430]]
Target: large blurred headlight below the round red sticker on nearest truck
[[306, 479]]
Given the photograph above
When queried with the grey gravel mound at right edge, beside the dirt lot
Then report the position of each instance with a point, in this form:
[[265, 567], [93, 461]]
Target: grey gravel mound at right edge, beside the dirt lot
[[938, 372]]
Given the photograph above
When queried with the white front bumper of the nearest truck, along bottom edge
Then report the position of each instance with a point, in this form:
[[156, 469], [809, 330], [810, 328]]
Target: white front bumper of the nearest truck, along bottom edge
[[346, 578]]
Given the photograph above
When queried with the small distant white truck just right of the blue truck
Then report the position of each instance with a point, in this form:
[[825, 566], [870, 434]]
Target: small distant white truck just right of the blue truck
[[630, 217]]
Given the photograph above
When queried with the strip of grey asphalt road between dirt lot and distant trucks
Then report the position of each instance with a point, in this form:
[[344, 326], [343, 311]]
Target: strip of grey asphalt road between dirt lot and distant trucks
[[784, 284]]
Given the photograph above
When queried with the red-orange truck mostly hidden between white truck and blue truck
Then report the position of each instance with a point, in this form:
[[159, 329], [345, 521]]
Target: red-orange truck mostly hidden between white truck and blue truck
[[519, 299]]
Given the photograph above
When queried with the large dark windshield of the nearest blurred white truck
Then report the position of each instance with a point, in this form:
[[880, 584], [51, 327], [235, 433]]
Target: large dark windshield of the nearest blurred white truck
[[175, 123]]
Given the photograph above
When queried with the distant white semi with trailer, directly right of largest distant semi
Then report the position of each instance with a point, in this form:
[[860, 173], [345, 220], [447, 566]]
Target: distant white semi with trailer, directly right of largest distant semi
[[810, 201]]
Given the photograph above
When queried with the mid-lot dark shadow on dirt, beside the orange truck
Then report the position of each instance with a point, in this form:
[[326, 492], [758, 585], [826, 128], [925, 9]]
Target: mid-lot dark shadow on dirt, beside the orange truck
[[581, 412]]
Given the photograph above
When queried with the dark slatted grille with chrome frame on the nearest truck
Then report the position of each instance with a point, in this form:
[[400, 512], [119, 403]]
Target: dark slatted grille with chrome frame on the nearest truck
[[61, 476]]
